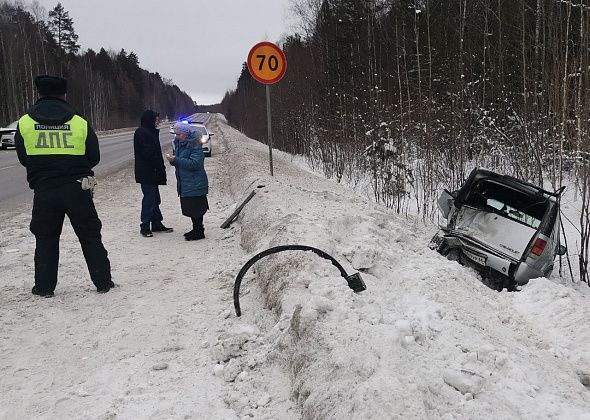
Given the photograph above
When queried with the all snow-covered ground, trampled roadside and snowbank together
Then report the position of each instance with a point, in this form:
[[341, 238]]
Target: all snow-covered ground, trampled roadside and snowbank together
[[425, 340]]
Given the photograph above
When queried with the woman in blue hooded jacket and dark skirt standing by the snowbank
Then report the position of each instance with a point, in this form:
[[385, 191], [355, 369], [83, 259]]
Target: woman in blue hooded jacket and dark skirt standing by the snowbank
[[191, 179]]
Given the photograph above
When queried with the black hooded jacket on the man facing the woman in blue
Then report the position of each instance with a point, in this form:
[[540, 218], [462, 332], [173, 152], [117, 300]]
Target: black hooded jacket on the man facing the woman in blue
[[149, 163]]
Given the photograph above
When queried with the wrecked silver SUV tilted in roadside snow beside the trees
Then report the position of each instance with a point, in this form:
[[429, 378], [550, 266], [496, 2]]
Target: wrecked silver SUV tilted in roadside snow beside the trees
[[505, 228]]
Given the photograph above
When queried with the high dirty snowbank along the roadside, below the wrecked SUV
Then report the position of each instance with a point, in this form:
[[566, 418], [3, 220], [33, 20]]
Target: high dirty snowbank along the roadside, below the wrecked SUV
[[426, 340]]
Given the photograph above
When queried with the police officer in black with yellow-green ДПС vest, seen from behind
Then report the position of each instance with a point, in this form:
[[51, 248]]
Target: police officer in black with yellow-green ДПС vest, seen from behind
[[59, 149]]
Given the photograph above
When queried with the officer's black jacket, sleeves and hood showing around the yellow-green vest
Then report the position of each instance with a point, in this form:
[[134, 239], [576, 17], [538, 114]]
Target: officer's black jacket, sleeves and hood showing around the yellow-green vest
[[48, 171]]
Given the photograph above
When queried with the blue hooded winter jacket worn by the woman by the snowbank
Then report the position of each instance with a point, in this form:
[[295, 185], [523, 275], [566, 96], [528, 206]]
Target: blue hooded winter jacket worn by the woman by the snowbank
[[189, 161]]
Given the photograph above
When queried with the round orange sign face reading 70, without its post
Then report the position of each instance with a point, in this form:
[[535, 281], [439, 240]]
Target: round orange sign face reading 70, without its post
[[267, 63]]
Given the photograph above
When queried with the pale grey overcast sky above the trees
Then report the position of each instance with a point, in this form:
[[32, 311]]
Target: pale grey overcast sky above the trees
[[199, 44]]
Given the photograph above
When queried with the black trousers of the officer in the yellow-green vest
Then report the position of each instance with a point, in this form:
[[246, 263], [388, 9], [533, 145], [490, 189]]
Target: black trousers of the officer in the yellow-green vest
[[49, 208]]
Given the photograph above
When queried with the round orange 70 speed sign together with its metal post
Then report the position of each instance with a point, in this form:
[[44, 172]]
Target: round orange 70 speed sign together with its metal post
[[267, 64]]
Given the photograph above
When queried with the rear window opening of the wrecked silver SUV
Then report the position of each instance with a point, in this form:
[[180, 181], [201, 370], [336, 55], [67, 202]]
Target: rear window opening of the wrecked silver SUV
[[528, 209]]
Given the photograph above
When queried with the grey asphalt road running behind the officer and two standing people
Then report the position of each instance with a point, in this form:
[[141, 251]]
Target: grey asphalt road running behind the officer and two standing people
[[116, 153]]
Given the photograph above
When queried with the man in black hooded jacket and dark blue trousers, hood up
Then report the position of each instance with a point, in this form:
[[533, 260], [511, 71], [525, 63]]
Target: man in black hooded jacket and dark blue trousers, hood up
[[150, 173]]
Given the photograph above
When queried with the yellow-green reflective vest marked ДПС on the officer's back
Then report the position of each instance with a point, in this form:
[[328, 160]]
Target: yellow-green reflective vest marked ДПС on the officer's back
[[68, 138]]
